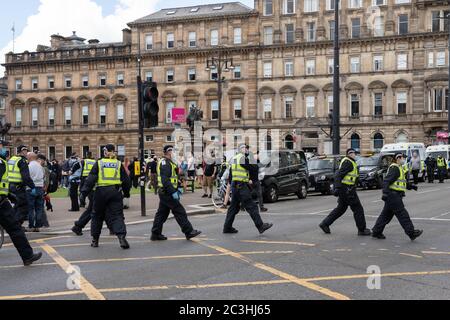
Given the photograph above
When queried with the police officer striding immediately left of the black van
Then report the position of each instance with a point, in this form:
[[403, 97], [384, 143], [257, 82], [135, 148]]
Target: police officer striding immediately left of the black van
[[241, 193]]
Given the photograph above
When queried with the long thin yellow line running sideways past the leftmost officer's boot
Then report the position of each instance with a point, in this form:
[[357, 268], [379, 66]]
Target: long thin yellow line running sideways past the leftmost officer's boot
[[149, 258]]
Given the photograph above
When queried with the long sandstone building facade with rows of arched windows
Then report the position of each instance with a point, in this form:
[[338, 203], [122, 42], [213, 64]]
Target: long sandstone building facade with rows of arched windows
[[394, 76]]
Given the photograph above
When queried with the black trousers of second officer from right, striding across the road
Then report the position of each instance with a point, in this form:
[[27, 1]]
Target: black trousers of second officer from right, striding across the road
[[348, 198]]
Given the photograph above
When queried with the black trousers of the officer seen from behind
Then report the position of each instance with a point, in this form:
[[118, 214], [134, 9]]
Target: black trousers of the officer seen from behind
[[108, 207]]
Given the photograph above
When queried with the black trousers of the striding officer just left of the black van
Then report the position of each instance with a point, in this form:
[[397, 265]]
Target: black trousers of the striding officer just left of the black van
[[242, 196]]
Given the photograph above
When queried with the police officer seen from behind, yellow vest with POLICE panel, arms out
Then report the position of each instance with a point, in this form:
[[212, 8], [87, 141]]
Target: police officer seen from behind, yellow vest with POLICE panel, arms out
[[110, 180]]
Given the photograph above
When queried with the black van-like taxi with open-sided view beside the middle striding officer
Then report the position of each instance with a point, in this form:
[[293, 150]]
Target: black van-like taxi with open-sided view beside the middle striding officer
[[289, 176]]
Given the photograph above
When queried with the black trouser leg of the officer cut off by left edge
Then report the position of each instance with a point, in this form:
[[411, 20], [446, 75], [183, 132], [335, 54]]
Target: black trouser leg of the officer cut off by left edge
[[9, 222]]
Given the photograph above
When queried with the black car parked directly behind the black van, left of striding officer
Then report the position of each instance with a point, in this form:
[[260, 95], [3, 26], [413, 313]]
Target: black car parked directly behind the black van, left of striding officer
[[321, 173]]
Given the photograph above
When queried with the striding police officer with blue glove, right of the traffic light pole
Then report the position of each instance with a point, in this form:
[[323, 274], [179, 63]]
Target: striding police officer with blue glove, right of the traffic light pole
[[170, 199]]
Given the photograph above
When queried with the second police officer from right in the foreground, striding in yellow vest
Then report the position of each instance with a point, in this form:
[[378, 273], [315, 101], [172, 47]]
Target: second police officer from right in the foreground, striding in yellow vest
[[345, 183]]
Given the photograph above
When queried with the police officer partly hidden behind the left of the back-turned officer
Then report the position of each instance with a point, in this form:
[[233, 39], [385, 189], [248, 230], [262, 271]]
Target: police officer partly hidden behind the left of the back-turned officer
[[87, 164]]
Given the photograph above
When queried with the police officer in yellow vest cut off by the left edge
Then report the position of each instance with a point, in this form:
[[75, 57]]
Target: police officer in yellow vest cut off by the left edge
[[7, 217]]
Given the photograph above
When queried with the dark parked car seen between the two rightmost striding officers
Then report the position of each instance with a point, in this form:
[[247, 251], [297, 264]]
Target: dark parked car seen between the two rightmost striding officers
[[373, 169]]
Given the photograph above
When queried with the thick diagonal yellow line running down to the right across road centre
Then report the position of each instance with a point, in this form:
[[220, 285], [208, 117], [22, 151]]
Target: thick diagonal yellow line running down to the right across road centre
[[278, 273]]
